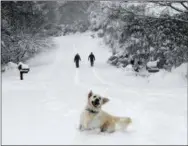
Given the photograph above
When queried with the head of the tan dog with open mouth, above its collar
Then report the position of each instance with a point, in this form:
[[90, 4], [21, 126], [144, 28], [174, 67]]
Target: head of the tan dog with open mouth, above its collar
[[95, 100]]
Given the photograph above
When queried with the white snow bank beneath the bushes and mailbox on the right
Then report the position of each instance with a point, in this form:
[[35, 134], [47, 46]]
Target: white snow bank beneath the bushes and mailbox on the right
[[176, 78]]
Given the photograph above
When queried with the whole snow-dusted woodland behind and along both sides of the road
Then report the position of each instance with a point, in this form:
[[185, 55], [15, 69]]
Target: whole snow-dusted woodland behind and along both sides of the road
[[126, 27]]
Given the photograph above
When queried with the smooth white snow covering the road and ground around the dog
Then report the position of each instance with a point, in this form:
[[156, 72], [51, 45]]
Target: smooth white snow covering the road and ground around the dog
[[45, 107]]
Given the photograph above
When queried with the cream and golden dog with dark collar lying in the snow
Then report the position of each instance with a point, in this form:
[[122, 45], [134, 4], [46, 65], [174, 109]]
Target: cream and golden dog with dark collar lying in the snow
[[94, 117]]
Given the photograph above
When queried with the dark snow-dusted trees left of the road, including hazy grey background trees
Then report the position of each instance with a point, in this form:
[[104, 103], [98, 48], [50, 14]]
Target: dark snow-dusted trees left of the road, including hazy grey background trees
[[27, 26]]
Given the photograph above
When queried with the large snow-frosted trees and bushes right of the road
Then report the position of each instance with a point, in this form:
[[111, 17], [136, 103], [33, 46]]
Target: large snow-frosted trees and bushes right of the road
[[128, 28]]
